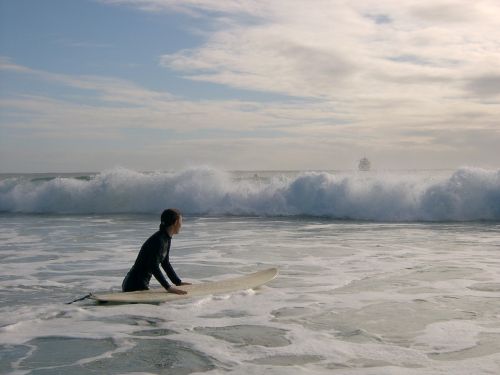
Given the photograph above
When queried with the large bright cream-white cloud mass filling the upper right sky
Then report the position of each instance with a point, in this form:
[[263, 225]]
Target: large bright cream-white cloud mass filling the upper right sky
[[385, 66]]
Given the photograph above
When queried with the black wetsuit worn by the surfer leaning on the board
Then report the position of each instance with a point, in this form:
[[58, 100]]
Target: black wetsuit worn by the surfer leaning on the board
[[154, 252]]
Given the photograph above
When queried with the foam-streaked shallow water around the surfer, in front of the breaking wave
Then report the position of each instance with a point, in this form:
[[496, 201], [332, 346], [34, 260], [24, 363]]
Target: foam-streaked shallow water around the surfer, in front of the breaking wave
[[352, 297]]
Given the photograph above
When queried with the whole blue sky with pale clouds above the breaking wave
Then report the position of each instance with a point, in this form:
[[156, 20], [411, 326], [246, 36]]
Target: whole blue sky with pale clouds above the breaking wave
[[88, 85]]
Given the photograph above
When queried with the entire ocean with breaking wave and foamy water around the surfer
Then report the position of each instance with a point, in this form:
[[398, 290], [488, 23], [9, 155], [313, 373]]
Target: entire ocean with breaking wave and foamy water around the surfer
[[380, 272]]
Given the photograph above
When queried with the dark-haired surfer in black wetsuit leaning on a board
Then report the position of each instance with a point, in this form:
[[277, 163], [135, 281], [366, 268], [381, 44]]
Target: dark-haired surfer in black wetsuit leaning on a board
[[155, 252]]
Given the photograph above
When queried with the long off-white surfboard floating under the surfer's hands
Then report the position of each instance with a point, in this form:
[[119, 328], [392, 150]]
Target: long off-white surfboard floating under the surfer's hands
[[160, 295]]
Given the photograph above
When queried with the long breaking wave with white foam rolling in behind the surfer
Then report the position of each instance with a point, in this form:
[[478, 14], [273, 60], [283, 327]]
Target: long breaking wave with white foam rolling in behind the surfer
[[467, 194]]
